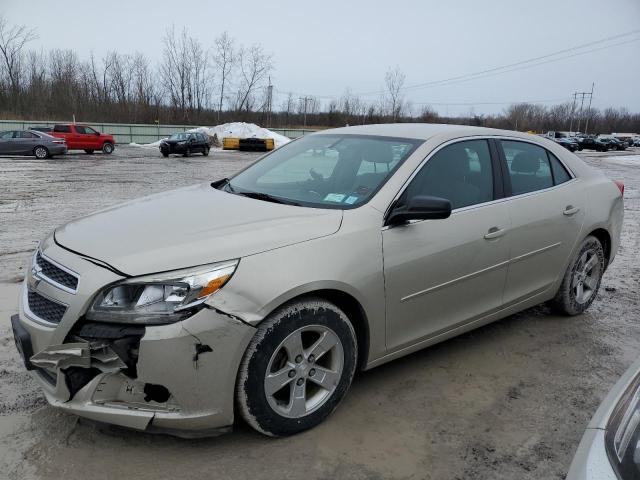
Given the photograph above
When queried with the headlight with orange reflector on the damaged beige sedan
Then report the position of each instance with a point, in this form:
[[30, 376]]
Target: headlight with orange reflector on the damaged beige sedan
[[162, 298]]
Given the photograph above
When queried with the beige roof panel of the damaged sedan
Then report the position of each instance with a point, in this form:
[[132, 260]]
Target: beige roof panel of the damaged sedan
[[422, 131]]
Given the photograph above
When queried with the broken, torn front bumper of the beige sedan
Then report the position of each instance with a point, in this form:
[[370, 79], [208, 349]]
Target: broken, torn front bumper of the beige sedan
[[176, 377]]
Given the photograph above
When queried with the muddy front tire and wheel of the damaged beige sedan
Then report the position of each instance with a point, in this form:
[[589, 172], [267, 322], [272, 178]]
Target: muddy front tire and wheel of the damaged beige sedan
[[317, 325]]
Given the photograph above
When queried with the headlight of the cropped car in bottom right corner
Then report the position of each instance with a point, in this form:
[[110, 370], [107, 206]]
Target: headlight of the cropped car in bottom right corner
[[622, 436]]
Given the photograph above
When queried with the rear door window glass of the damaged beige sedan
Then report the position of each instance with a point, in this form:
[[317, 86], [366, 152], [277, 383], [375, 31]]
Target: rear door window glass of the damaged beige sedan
[[529, 168]]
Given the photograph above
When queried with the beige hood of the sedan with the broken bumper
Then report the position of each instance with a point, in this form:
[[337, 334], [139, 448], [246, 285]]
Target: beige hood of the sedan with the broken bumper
[[191, 226]]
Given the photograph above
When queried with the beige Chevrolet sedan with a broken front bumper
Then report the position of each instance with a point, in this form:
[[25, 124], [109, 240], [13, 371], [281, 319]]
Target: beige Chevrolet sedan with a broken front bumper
[[263, 294]]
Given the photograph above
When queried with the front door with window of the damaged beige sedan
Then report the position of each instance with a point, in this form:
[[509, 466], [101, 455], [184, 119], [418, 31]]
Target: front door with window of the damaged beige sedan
[[442, 274]]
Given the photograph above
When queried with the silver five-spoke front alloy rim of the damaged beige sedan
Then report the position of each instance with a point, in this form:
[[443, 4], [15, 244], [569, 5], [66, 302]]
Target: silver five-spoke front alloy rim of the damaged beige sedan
[[304, 371]]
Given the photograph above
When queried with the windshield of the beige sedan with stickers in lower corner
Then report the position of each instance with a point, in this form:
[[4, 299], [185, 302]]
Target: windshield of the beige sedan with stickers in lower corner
[[327, 171]]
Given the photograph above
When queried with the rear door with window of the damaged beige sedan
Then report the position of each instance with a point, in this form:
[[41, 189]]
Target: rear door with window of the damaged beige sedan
[[546, 207]]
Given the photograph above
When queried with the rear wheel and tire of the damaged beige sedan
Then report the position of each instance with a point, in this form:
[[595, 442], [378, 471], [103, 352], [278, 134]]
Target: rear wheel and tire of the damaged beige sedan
[[583, 274]]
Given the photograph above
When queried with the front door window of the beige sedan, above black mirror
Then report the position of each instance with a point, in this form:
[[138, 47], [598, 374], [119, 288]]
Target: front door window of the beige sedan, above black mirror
[[462, 173]]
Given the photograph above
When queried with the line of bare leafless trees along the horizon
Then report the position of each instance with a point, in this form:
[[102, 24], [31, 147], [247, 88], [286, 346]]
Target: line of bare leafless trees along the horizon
[[193, 83]]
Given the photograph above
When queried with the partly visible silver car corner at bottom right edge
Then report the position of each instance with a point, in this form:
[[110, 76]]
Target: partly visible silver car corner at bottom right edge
[[610, 446]]
